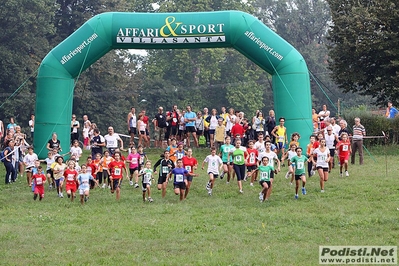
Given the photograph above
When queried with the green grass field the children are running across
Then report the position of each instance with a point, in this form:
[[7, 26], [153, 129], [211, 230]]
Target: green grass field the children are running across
[[227, 228]]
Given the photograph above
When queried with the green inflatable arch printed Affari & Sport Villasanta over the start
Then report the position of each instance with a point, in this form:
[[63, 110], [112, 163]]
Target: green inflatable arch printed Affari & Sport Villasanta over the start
[[107, 31]]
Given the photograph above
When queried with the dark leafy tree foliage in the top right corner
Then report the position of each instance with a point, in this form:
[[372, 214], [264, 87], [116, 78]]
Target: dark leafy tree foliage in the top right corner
[[364, 48]]
